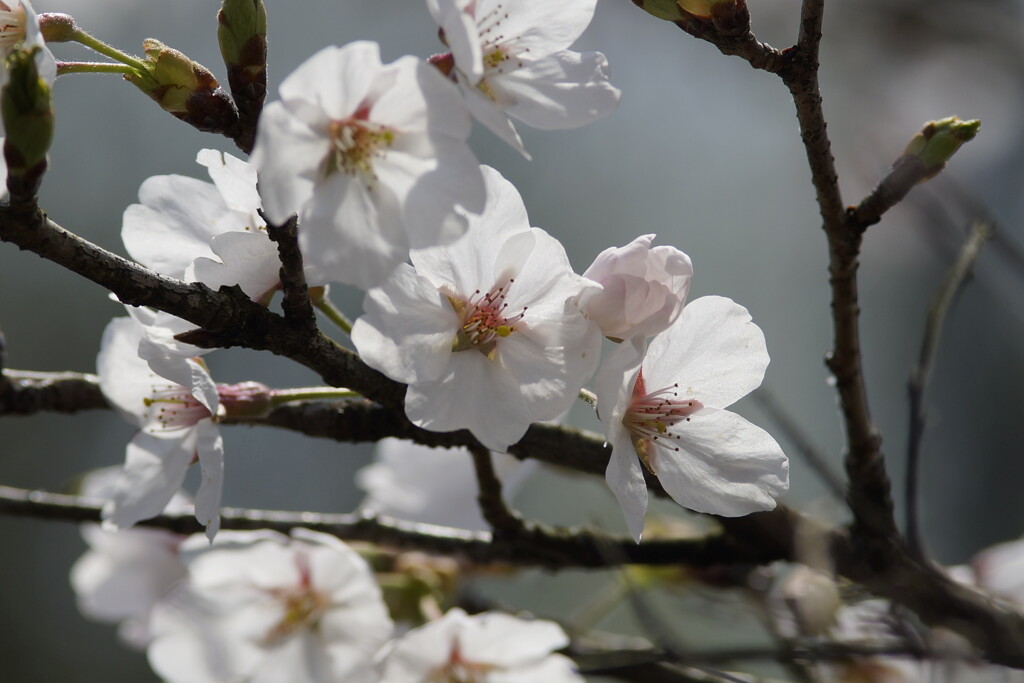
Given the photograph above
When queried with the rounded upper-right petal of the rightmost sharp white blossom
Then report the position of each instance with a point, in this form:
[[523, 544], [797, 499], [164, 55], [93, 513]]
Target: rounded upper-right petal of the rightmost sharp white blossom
[[714, 352]]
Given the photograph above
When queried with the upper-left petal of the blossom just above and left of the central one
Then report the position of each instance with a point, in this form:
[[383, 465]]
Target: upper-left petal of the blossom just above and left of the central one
[[350, 70]]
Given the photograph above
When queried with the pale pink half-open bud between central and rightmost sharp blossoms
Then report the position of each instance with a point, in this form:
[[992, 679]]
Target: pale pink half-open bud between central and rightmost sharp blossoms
[[645, 289]]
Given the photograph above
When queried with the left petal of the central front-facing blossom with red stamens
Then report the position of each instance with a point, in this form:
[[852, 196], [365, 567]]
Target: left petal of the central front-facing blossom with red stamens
[[408, 329]]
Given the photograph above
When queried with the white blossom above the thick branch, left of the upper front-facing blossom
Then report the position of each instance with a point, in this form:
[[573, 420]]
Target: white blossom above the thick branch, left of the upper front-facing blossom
[[214, 234]]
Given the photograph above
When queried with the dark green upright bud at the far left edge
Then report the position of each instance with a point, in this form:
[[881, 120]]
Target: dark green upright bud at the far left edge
[[27, 107]]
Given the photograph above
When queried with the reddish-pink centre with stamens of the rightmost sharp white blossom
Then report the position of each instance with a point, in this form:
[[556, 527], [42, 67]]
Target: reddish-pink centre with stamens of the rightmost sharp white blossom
[[653, 417]]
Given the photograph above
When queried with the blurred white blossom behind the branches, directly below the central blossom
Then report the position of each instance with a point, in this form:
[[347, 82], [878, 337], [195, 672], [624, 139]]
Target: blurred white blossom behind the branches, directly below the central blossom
[[433, 486]]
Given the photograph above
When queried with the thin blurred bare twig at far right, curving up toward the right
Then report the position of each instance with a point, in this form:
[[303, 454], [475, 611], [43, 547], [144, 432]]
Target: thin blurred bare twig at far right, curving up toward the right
[[955, 281]]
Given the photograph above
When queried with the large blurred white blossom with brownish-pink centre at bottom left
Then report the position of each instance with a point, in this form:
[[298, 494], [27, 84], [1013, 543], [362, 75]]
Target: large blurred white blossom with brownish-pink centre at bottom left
[[264, 608]]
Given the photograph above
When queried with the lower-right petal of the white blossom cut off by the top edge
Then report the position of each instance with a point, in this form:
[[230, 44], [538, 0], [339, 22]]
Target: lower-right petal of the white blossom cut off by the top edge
[[565, 91]]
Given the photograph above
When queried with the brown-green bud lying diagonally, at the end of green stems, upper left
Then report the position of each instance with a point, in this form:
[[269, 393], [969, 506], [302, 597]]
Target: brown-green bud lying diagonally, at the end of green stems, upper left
[[185, 89]]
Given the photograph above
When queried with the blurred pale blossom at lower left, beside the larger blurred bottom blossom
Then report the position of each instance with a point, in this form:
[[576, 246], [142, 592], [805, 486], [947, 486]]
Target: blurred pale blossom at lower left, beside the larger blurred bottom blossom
[[125, 574]]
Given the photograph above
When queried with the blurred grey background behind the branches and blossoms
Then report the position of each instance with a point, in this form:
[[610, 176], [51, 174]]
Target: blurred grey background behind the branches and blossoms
[[704, 151]]
